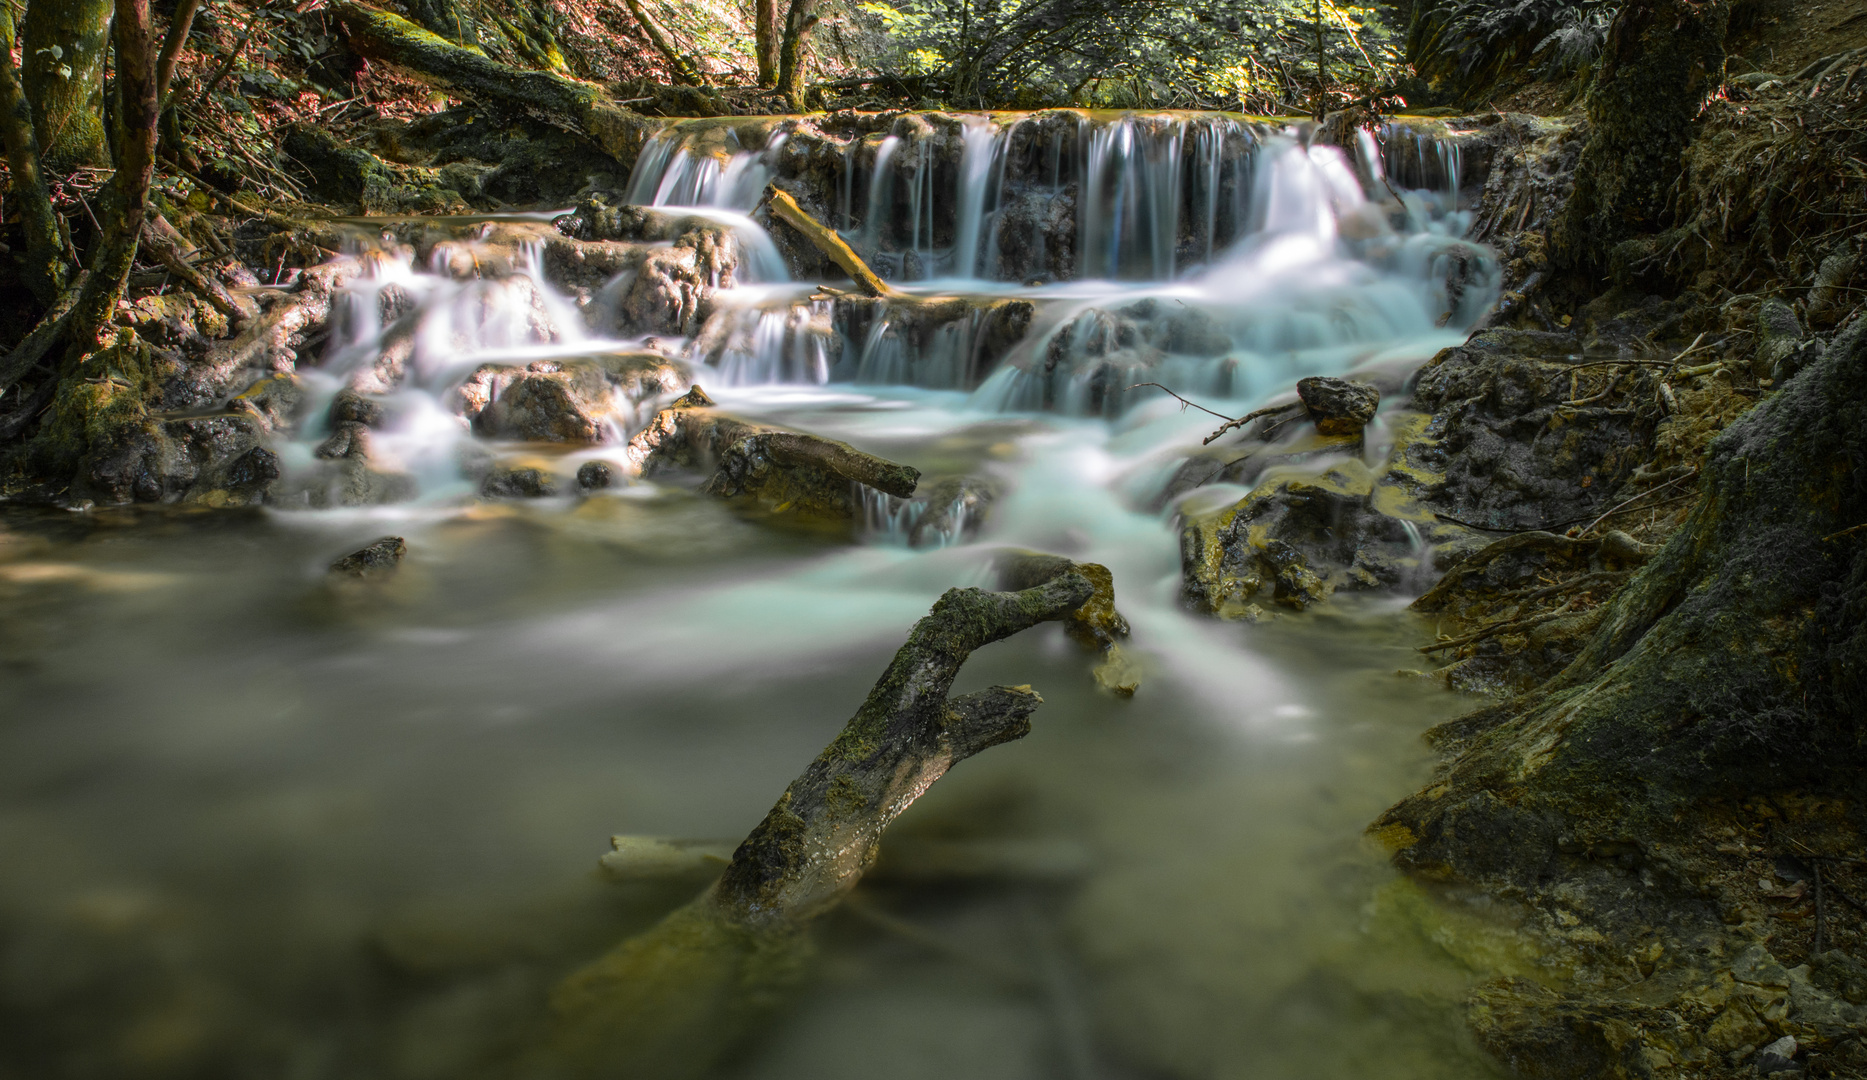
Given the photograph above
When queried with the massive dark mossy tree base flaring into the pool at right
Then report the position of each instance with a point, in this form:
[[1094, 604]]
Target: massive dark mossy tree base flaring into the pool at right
[[1734, 666]]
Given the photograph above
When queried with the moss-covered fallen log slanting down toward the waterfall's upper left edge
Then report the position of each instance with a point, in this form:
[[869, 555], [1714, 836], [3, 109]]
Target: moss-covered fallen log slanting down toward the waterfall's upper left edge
[[395, 40]]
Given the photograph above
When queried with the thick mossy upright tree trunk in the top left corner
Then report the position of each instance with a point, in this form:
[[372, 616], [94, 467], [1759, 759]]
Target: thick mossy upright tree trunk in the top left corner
[[64, 55]]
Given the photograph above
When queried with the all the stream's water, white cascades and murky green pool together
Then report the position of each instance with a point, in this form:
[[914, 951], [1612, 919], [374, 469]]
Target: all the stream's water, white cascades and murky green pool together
[[255, 825]]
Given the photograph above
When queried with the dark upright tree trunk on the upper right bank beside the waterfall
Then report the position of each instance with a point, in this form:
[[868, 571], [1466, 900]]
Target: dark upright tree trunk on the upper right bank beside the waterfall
[[1661, 63]]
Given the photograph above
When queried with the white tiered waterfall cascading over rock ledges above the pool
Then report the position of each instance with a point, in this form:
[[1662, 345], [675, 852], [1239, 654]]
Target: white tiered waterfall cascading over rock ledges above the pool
[[1213, 255]]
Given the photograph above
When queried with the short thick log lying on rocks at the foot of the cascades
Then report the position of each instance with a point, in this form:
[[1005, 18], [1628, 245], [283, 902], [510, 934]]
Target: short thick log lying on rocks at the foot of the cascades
[[781, 470]]
